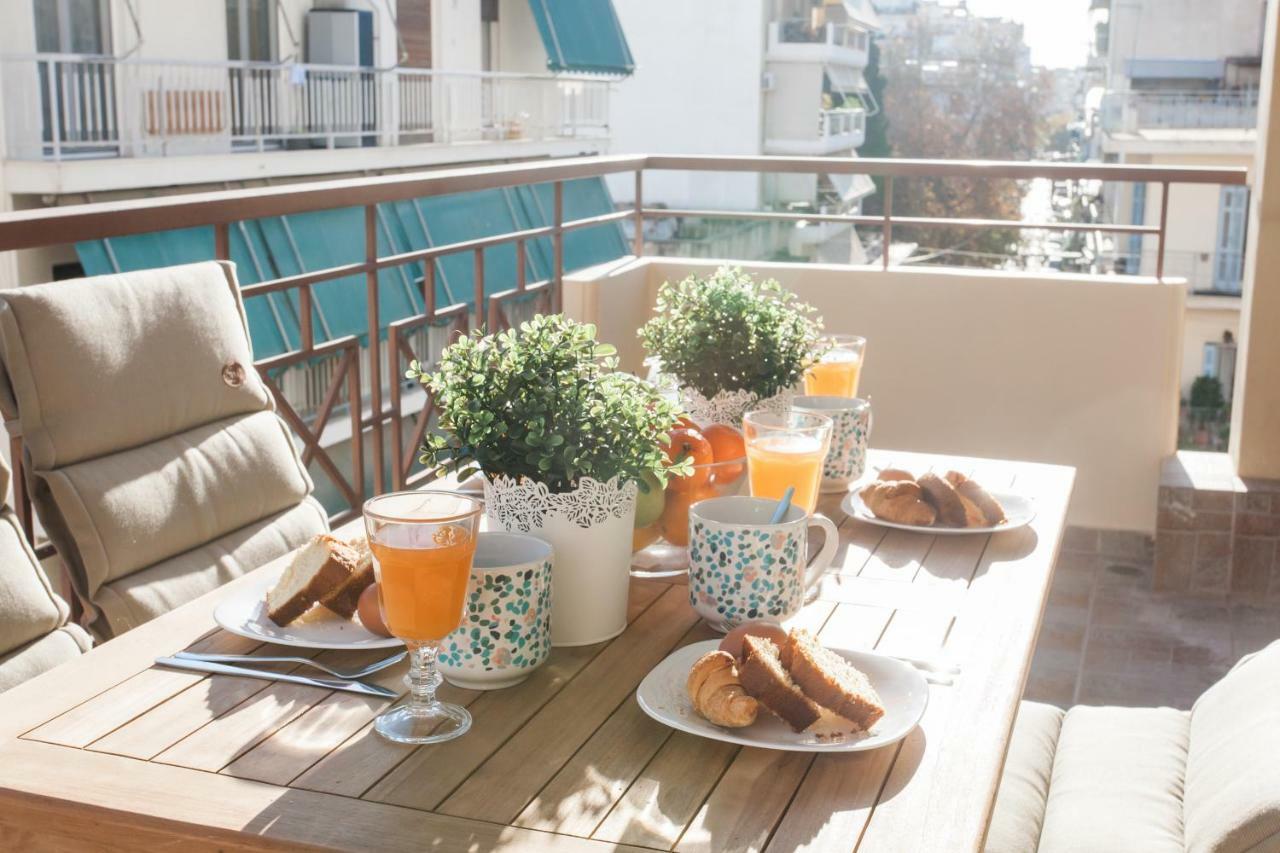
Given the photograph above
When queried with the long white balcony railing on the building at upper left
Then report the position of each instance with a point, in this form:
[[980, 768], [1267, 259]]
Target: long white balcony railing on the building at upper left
[[61, 107]]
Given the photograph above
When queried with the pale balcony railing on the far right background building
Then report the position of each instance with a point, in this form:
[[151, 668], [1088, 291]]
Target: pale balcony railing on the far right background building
[[1132, 112]]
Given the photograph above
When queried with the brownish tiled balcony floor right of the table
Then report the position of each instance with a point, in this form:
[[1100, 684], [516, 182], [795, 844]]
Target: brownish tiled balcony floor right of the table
[[1109, 640]]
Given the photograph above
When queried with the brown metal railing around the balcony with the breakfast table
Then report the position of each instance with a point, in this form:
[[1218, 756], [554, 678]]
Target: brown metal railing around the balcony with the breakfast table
[[396, 454]]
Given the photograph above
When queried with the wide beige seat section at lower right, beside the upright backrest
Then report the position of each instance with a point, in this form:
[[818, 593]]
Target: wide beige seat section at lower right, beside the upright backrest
[[1118, 782]]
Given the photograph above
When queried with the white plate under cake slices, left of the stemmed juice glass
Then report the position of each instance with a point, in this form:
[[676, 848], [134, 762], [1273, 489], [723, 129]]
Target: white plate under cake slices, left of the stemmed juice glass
[[245, 613]]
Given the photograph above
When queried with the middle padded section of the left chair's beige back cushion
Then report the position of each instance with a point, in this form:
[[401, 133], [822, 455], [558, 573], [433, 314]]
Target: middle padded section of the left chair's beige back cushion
[[138, 508]]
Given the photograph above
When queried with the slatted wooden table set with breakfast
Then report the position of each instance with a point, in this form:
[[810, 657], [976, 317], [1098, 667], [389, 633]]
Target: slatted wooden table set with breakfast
[[109, 752]]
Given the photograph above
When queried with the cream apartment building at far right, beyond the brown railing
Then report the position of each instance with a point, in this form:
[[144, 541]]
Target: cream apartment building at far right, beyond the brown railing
[[1183, 95]]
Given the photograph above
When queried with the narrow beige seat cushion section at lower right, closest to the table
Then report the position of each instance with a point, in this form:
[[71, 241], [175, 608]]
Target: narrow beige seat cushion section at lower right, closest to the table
[[1016, 825]]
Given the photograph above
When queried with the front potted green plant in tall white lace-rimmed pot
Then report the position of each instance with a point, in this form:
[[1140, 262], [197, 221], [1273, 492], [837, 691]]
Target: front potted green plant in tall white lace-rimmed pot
[[563, 441]]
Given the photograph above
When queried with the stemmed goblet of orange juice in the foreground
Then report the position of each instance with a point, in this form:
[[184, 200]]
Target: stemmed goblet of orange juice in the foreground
[[423, 545]]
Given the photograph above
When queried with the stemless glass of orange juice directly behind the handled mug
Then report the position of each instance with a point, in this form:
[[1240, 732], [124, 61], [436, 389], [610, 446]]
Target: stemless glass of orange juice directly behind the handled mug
[[787, 449]]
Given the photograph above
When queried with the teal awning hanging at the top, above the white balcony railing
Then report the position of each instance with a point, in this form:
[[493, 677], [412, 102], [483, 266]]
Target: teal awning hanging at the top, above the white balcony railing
[[583, 37]]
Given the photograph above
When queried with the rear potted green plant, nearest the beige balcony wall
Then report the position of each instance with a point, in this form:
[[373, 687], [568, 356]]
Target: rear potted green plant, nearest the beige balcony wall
[[732, 344]]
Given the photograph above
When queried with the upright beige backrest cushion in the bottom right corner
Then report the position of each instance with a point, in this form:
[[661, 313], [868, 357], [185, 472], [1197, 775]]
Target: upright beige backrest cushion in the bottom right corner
[[1233, 767]]
